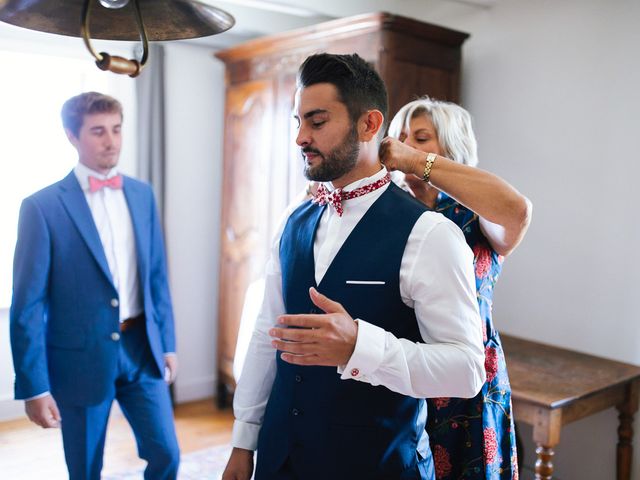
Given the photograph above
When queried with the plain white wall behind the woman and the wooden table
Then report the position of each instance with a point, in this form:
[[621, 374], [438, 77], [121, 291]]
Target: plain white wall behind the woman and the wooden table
[[553, 87]]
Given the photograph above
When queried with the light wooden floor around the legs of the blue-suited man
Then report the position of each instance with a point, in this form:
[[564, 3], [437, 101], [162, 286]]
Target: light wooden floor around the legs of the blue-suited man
[[29, 452]]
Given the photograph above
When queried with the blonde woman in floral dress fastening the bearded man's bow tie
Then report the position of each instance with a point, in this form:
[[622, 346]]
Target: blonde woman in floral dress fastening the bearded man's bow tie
[[433, 144]]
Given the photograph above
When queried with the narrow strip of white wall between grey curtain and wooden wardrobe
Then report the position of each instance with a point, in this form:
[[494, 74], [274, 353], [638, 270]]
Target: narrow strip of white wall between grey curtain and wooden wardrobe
[[194, 110]]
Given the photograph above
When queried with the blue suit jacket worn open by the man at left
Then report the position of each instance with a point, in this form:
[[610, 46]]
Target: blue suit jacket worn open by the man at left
[[64, 308]]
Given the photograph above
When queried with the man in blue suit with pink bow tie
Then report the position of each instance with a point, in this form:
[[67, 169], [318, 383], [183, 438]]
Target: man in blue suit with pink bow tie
[[91, 315]]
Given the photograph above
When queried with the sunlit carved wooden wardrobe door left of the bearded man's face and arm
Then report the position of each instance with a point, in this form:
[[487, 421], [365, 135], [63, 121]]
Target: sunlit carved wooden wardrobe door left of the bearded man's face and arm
[[249, 114]]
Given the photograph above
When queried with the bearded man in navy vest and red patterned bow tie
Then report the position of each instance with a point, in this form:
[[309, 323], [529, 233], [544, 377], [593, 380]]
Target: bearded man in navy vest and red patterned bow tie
[[369, 307]]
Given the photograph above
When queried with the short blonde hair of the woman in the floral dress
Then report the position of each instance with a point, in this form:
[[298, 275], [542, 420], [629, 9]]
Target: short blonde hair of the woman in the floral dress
[[452, 124]]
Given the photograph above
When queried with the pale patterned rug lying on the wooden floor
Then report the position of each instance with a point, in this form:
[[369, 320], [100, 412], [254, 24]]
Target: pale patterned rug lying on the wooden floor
[[207, 464]]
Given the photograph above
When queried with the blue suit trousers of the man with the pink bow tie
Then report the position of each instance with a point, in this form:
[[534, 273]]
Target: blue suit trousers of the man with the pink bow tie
[[144, 398]]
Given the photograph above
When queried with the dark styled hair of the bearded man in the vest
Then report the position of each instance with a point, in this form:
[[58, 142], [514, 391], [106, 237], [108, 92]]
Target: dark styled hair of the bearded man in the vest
[[359, 86]]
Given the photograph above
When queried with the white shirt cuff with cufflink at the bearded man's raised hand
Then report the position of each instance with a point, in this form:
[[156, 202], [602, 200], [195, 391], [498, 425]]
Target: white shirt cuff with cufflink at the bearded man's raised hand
[[368, 354]]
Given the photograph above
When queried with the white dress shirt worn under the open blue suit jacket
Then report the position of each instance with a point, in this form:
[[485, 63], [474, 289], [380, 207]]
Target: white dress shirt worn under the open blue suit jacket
[[111, 216]]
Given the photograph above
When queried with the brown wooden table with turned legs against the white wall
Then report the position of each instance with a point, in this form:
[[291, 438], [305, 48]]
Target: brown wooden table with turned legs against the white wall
[[553, 386]]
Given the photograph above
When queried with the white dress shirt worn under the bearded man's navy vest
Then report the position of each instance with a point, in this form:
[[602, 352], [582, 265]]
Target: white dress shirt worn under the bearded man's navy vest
[[436, 280]]
